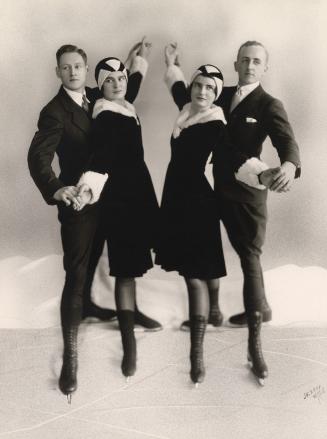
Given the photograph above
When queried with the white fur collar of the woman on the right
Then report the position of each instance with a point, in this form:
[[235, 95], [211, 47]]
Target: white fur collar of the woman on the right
[[184, 120]]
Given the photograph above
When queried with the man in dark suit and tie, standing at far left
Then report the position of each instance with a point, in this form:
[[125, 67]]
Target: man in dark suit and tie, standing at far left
[[63, 129]]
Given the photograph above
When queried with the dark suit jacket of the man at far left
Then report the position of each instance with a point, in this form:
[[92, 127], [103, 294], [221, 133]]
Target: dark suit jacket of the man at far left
[[64, 129]]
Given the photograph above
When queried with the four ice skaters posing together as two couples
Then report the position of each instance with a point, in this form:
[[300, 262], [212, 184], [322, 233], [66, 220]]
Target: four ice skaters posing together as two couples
[[185, 232]]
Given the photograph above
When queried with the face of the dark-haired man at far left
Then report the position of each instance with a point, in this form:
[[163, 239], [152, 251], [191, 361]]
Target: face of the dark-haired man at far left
[[72, 71]]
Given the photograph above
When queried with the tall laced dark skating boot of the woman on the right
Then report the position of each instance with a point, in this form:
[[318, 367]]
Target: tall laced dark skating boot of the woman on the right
[[198, 327]]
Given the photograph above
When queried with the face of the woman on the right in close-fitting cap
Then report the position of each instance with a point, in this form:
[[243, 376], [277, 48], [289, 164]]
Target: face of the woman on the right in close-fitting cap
[[203, 93]]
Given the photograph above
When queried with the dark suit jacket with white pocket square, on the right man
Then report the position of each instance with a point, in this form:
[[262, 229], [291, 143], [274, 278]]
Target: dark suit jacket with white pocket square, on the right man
[[258, 115]]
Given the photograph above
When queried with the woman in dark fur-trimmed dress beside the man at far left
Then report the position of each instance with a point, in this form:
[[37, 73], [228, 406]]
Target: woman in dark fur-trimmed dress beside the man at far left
[[129, 206]]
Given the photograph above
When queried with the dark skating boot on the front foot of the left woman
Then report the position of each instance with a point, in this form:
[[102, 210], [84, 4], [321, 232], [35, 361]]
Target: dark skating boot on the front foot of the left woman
[[126, 325]]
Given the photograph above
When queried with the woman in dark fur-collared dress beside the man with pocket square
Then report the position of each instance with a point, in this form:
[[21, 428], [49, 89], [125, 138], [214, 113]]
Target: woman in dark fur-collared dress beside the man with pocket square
[[190, 240]]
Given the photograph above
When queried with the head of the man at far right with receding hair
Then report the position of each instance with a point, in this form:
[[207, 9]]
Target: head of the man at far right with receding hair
[[251, 64]]
